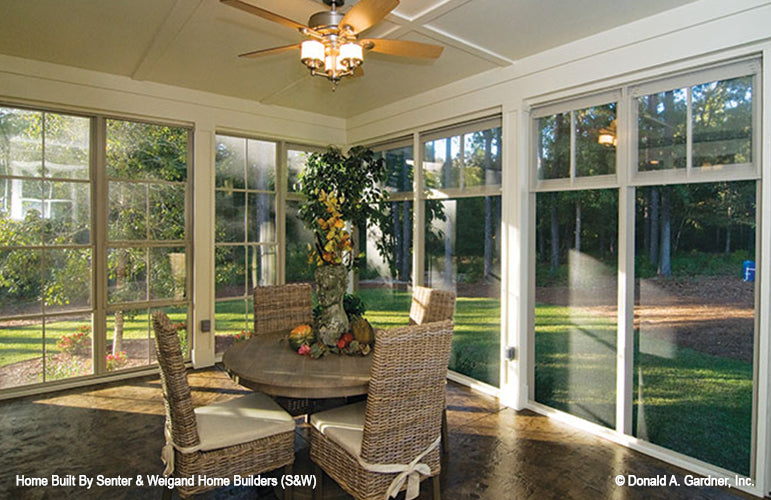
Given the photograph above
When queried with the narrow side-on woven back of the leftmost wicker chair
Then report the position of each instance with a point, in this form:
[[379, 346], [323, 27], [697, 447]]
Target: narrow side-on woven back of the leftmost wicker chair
[[176, 391]]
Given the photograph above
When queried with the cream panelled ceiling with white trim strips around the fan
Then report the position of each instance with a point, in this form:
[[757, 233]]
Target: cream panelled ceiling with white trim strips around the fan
[[194, 43]]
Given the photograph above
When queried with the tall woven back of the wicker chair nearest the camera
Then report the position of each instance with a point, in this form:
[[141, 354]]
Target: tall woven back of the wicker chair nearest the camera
[[405, 399]]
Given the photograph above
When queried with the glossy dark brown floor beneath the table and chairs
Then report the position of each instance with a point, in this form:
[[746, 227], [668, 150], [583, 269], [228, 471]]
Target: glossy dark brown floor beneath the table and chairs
[[494, 452]]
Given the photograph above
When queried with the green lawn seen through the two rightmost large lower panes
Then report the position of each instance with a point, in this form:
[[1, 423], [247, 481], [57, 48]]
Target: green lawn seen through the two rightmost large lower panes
[[691, 402]]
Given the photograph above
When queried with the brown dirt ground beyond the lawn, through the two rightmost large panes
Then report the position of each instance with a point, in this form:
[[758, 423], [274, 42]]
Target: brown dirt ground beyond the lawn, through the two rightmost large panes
[[714, 315]]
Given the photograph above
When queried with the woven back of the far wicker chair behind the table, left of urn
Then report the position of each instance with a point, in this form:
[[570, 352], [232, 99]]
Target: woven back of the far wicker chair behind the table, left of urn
[[279, 308]]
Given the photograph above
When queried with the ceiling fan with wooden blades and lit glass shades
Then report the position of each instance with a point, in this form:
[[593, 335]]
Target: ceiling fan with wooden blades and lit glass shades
[[333, 49]]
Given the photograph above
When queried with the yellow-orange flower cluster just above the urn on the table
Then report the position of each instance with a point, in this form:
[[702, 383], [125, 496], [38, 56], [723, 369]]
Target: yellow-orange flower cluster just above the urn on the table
[[333, 242]]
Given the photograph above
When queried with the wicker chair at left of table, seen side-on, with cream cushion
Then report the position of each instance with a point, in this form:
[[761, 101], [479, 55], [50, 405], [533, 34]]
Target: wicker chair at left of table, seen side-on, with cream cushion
[[246, 436]]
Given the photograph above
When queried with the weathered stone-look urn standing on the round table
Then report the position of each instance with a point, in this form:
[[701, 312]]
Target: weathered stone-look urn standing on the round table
[[331, 283]]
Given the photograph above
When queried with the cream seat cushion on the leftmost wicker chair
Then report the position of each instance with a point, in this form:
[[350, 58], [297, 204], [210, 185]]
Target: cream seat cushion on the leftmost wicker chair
[[240, 420]]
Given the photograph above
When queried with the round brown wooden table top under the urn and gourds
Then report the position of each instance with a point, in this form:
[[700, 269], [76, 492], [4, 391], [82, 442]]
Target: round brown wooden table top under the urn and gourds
[[267, 364]]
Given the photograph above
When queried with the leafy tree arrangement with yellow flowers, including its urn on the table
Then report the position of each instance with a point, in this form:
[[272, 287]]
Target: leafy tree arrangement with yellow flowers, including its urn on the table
[[341, 193]]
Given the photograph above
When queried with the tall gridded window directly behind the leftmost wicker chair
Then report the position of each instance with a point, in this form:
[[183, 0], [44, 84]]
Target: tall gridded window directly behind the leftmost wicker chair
[[147, 236]]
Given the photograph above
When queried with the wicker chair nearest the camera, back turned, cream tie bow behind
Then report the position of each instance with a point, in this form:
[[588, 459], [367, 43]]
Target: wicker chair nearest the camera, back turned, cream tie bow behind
[[370, 448]]
